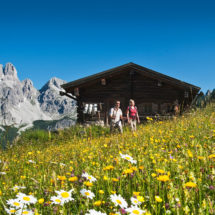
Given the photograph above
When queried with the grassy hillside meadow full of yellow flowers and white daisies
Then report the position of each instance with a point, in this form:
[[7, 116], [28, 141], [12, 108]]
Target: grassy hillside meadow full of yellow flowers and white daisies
[[171, 169]]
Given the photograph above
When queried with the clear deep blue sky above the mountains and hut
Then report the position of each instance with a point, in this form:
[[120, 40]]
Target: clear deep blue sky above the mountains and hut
[[73, 39]]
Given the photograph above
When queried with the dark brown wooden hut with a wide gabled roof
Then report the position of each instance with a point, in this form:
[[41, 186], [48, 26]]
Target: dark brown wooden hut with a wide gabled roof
[[153, 92]]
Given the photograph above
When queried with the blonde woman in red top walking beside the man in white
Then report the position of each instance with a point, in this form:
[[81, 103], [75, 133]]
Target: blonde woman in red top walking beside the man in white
[[132, 115]]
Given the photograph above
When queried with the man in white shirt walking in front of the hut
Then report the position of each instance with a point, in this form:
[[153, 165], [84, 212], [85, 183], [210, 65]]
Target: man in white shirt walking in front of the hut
[[116, 117]]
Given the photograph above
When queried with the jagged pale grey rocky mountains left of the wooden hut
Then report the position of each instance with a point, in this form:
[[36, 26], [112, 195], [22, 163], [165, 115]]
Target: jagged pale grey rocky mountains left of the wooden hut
[[22, 104]]
